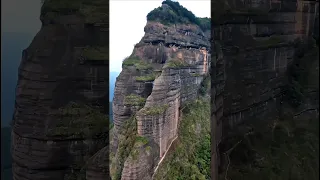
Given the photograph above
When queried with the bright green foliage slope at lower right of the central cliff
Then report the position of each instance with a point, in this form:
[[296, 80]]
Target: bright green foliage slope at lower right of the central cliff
[[190, 158]]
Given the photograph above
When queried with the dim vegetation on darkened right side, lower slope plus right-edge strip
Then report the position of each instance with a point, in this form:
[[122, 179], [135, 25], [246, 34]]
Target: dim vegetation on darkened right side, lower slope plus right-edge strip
[[288, 147]]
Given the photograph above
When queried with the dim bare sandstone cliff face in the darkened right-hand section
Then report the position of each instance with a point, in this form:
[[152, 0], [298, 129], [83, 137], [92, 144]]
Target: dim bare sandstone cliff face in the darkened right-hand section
[[257, 47]]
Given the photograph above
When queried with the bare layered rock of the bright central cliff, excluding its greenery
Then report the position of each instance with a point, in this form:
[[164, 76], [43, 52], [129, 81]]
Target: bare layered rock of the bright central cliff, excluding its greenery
[[174, 85]]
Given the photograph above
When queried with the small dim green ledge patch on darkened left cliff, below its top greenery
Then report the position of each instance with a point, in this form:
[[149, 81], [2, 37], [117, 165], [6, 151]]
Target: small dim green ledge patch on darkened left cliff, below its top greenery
[[96, 53]]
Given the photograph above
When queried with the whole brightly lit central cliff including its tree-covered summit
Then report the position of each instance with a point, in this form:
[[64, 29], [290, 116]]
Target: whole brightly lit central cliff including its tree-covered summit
[[163, 73]]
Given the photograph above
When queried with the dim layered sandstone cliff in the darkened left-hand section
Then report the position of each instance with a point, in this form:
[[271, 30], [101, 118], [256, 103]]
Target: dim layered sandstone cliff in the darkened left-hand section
[[60, 116]]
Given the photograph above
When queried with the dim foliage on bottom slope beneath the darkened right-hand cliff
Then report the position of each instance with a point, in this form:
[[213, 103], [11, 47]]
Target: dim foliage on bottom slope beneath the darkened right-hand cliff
[[281, 150]]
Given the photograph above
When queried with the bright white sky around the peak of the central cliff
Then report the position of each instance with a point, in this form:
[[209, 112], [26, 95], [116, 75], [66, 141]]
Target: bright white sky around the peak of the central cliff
[[127, 21]]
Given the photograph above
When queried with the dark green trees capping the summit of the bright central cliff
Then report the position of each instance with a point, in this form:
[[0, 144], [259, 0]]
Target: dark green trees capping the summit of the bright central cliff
[[177, 14]]
